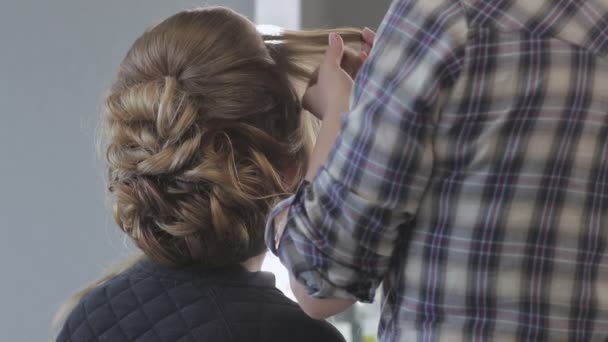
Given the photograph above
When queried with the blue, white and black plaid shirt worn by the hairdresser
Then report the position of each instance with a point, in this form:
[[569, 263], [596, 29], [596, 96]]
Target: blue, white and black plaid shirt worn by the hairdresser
[[470, 176]]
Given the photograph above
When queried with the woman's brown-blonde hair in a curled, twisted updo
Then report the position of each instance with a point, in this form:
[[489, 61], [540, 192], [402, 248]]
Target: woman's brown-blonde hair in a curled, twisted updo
[[204, 132]]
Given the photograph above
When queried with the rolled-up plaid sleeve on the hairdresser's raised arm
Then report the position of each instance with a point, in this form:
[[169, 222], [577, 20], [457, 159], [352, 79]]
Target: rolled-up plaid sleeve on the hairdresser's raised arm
[[343, 227]]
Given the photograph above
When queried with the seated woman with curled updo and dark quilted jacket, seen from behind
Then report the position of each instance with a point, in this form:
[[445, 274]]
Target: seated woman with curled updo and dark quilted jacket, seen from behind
[[203, 132]]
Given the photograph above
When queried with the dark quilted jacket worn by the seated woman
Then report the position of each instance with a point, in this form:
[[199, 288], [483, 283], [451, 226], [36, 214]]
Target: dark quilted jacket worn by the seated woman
[[152, 303]]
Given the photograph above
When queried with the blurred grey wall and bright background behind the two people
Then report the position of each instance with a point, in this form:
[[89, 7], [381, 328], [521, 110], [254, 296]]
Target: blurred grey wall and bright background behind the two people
[[56, 60]]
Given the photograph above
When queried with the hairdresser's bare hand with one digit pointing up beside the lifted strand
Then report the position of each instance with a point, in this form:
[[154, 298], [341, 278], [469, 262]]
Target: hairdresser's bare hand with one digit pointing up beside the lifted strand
[[331, 92]]
